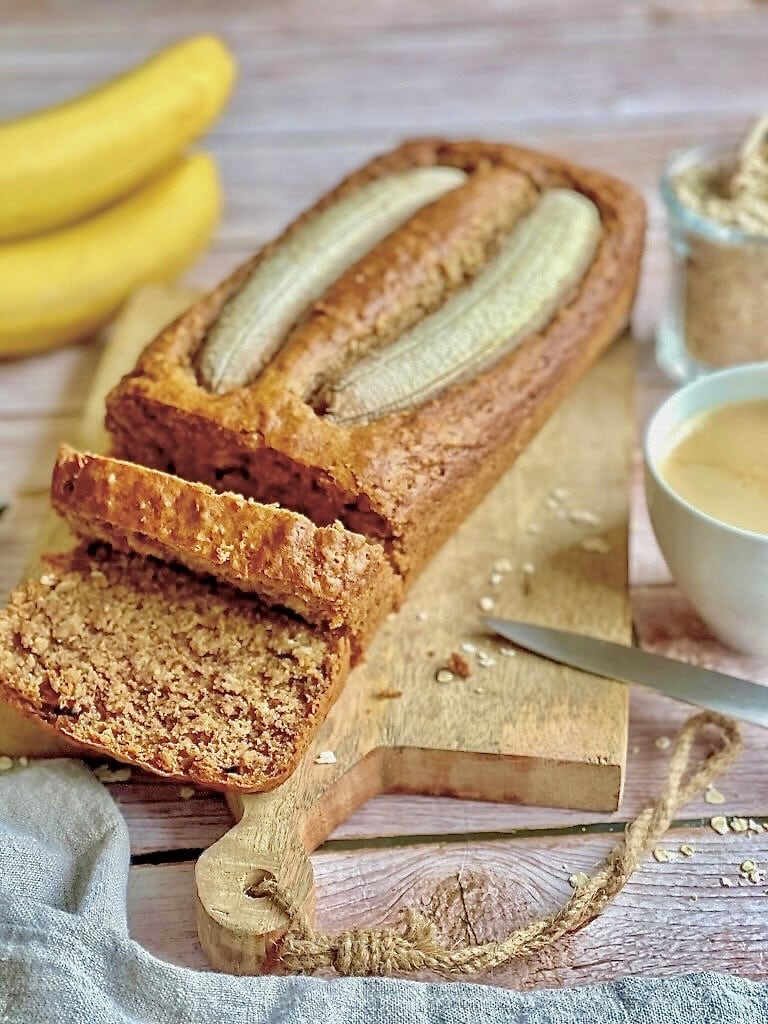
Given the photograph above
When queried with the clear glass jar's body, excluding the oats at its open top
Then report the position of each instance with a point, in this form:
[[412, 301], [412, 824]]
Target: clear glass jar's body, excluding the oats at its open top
[[717, 314]]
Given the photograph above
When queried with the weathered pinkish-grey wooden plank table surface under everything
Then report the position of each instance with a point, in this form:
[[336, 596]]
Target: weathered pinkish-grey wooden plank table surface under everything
[[325, 86]]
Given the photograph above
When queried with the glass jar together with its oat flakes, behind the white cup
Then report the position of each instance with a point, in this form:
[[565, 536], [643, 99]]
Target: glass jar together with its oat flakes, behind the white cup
[[717, 207]]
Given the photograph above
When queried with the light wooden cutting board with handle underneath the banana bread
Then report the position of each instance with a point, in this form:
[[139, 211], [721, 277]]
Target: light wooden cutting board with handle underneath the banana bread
[[518, 729]]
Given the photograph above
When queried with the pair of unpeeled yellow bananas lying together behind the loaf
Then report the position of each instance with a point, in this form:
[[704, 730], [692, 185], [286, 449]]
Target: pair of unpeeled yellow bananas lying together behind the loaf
[[97, 197]]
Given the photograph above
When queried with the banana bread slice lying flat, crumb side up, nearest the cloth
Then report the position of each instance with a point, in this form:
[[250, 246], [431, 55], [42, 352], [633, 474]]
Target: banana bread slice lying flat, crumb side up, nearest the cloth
[[152, 666]]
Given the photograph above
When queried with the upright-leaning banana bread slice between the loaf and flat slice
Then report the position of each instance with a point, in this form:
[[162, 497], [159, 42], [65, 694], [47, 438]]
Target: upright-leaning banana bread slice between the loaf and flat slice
[[329, 576]]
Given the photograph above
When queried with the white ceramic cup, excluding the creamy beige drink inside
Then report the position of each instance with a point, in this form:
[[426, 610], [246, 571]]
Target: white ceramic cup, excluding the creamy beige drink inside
[[722, 570]]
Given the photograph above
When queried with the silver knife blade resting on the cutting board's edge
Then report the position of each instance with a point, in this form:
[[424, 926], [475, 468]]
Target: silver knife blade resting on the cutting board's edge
[[703, 688]]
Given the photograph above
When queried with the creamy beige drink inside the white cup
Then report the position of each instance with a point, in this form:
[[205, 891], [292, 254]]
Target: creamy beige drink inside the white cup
[[718, 463]]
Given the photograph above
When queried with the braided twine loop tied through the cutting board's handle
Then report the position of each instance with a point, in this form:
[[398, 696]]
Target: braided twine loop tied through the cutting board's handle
[[415, 946]]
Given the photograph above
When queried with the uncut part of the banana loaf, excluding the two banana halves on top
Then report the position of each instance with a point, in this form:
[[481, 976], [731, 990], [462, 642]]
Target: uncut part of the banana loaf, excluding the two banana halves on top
[[407, 479]]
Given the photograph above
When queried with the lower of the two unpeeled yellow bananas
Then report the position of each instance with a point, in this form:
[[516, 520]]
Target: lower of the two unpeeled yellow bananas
[[60, 287]]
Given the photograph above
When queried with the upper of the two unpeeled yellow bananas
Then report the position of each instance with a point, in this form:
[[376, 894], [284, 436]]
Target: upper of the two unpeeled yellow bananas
[[63, 164]]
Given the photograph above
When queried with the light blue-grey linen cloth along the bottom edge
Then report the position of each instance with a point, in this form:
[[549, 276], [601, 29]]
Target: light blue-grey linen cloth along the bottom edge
[[66, 957]]
